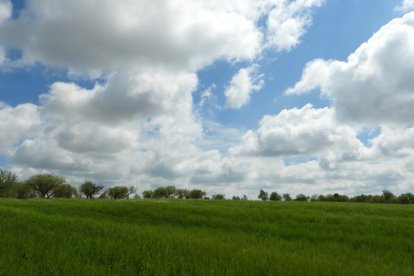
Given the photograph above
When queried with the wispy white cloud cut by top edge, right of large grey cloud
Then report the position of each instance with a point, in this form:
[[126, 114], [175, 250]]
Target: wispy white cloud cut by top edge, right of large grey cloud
[[287, 22]]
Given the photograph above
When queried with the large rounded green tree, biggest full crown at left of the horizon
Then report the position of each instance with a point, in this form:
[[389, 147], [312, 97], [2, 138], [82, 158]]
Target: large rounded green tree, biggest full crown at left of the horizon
[[44, 184]]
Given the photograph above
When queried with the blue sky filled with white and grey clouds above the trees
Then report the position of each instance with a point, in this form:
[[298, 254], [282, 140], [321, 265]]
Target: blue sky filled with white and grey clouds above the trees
[[230, 96]]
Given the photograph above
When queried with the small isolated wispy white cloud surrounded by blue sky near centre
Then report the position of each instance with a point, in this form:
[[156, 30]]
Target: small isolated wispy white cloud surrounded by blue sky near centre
[[242, 85]]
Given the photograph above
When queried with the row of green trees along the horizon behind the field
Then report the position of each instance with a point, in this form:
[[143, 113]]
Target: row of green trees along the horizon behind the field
[[54, 186]]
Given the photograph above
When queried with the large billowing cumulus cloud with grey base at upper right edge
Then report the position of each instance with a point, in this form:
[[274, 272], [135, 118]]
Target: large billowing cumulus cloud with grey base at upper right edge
[[375, 85]]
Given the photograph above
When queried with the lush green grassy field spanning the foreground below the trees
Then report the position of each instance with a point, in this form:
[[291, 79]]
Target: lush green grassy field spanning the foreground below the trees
[[173, 237]]
